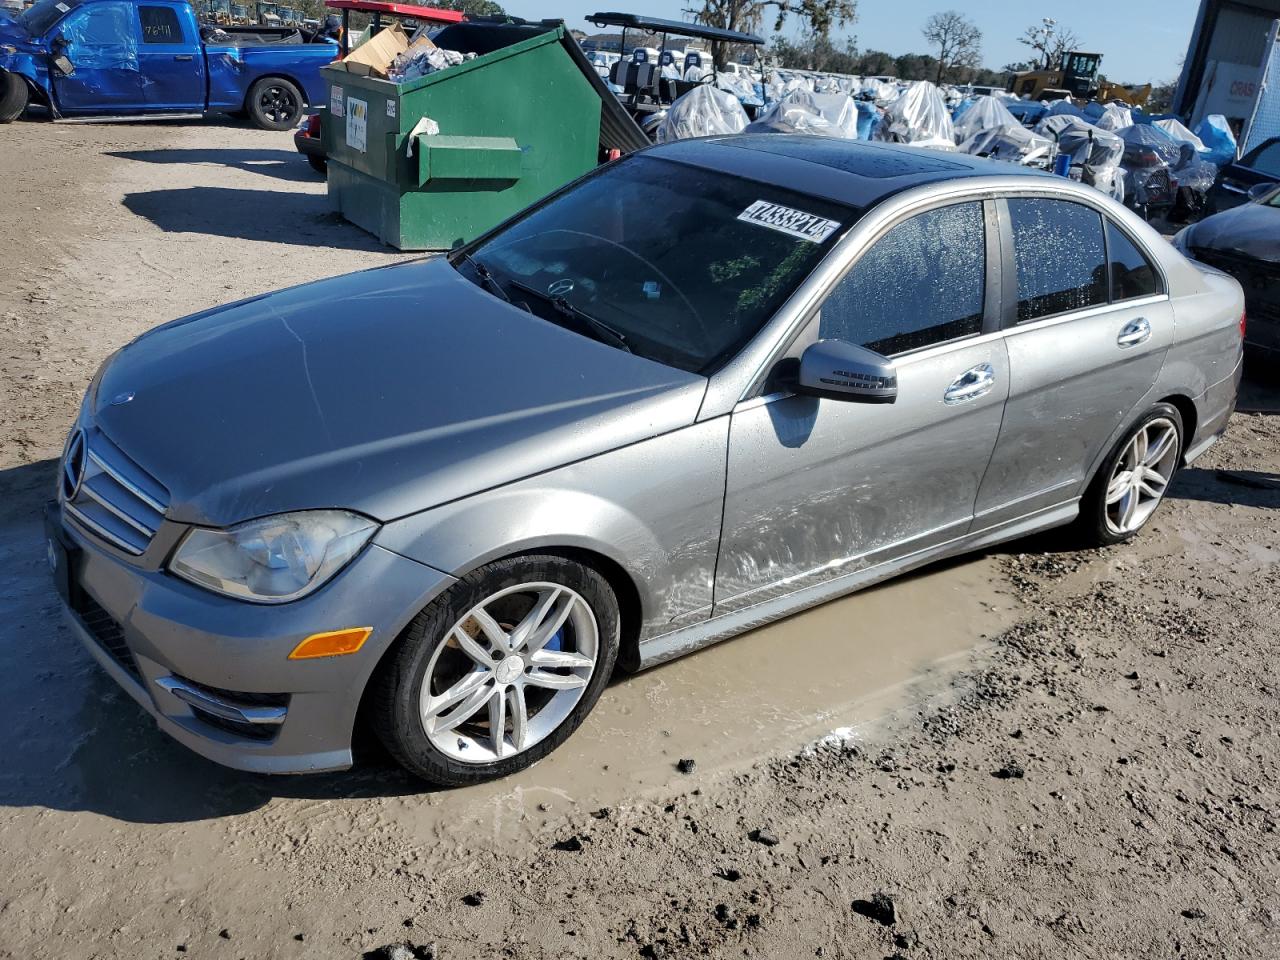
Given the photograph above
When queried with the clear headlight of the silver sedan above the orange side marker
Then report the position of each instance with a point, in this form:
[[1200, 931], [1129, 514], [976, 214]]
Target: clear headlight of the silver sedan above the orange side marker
[[273, 560]]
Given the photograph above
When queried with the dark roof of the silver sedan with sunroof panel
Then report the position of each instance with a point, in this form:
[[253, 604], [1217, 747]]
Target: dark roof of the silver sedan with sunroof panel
[[857, 173]]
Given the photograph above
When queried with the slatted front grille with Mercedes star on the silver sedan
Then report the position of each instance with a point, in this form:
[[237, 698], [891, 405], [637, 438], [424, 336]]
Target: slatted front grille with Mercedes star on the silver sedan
[[109, 496]]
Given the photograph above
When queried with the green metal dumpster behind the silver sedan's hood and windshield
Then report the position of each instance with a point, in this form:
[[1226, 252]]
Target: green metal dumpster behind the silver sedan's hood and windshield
[[515, 124]]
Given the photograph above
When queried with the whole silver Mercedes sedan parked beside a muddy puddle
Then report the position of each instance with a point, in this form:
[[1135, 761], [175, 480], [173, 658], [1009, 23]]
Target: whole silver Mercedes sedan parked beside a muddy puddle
[[703, 388]]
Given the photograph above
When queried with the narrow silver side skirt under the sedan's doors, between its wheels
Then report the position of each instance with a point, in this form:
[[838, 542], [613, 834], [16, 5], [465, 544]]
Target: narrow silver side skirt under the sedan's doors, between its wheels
[[679, 643]]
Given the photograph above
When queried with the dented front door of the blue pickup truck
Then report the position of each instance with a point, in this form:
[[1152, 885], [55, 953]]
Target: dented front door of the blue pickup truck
[[99, 42]]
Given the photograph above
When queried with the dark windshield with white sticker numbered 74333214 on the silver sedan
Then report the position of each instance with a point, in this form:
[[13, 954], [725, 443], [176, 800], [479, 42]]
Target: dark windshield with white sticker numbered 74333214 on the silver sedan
[[675, 263]]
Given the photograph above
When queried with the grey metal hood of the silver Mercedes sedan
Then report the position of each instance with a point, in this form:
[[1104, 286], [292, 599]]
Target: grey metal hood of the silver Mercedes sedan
[[386, 392]]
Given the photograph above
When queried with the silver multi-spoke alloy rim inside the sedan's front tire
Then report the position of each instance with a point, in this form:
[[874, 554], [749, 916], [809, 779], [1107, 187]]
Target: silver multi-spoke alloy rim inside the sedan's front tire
[[509, 673]]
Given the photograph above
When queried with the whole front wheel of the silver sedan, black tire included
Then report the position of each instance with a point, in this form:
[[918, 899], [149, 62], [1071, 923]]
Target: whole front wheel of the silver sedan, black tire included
[[500, 671]]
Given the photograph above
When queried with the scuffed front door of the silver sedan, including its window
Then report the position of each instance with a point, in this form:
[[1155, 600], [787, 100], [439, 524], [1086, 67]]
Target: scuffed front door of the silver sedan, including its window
[[821, 488]]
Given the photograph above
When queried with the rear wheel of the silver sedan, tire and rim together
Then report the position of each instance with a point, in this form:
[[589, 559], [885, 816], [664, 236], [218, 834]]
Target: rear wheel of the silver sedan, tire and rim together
[[1133, 479]]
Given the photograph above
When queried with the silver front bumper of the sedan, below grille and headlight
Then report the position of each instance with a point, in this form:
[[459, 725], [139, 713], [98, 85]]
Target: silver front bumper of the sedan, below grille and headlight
[[214, 673]]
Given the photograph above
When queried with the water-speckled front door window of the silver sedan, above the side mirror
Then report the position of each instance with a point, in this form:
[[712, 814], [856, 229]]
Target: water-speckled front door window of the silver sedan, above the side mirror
[[922, 284]]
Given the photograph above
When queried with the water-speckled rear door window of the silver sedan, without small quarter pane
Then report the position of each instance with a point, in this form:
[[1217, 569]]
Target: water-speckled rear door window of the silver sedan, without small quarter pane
[[1062, 262]]
